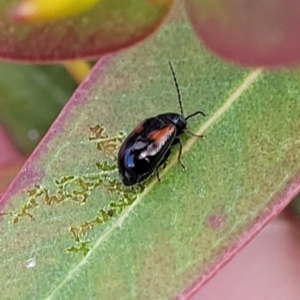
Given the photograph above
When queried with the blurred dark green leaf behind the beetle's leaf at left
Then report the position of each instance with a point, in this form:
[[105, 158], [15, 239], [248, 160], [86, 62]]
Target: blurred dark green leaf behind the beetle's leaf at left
[[31, 98]]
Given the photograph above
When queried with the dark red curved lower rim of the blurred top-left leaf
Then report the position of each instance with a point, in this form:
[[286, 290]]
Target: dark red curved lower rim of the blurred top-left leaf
[[94, 54]]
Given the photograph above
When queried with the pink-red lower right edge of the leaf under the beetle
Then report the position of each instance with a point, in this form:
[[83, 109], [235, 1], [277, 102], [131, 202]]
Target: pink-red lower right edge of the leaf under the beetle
[[280, 201]]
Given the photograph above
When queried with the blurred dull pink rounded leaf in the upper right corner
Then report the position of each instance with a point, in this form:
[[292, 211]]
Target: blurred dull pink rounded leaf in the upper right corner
[[251, 32]]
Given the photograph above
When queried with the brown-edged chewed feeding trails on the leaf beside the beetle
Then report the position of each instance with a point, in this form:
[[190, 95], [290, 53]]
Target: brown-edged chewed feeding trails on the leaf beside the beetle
[[78, 189]]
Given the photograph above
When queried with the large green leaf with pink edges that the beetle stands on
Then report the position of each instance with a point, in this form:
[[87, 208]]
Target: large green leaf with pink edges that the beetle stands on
[[153, 242]]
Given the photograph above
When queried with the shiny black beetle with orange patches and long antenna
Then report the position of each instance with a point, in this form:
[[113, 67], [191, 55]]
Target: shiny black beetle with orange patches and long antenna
[[148, 146]]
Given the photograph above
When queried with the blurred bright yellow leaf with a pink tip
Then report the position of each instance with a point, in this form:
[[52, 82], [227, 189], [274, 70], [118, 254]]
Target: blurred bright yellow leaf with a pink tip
[[49, 10]]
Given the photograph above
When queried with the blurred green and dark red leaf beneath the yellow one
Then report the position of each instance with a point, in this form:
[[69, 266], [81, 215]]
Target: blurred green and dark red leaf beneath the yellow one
[[110, 25]]
